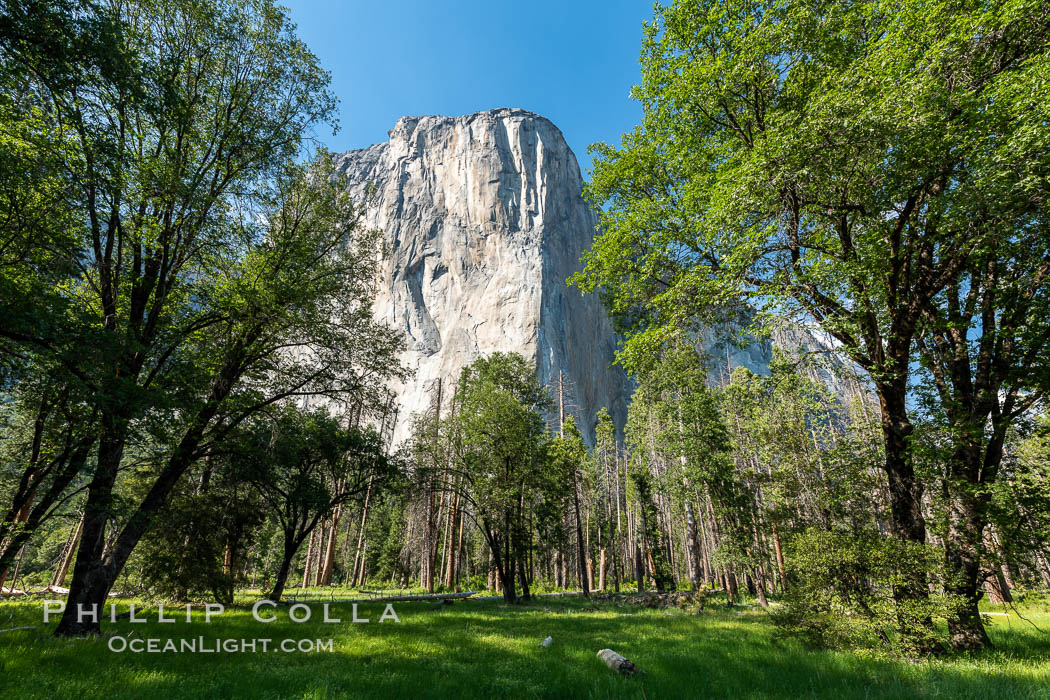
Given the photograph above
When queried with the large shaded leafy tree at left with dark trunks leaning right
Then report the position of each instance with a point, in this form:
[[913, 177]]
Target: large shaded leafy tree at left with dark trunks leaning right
[[197, 270]]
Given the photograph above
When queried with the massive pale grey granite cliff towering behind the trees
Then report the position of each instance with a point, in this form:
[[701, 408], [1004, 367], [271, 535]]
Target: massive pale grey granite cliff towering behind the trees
[[484, 222]]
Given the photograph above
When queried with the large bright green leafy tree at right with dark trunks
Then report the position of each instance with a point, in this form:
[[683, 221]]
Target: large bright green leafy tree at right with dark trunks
[[875, 169]]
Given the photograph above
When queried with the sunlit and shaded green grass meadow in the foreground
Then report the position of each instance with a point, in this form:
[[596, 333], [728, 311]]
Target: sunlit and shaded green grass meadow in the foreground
[[489, 650]]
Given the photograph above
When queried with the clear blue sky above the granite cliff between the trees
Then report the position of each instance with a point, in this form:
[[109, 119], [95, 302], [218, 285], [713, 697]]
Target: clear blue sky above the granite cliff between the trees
[[573, 61]]
